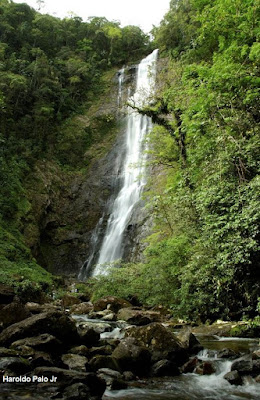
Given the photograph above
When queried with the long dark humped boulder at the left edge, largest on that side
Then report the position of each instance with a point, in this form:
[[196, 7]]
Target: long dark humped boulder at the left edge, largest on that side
[[53, 322]]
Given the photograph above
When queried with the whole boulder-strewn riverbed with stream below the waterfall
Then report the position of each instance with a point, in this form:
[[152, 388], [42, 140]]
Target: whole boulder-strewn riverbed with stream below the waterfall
[[72, 349]]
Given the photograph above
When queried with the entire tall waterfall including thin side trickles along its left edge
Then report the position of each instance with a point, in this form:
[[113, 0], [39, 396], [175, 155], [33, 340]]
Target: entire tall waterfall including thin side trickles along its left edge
[[131, 174]]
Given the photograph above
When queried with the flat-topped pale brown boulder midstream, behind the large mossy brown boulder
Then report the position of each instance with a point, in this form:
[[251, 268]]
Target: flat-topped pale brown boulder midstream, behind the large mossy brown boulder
[[138, 317]]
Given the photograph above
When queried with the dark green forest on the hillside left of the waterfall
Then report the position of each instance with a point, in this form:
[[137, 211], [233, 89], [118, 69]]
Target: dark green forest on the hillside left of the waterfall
[[49, 69]]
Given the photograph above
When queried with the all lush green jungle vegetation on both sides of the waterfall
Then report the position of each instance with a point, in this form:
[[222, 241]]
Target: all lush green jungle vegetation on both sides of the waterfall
[[202, 259]]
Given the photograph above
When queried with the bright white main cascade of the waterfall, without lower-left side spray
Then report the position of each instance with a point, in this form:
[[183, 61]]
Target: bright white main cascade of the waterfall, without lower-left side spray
[[133, 166]]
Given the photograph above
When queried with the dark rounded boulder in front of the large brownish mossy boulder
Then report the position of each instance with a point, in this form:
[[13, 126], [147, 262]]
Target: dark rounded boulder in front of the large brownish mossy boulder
[[132, 357]]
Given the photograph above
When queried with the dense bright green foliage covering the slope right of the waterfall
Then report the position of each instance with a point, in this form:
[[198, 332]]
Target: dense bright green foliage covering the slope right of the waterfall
[[203, 258]]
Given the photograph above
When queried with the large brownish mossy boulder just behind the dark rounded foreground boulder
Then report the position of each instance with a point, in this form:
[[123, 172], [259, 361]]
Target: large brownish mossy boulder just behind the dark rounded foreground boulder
[[160, 341]]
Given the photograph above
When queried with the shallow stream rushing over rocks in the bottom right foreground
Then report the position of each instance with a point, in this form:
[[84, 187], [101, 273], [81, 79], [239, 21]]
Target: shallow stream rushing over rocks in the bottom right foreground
[[192, 386]]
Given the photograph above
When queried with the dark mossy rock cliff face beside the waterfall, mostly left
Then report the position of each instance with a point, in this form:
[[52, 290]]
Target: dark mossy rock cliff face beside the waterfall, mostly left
[[66, 206]]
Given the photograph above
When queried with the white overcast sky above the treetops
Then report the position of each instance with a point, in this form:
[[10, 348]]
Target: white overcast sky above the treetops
[[143, 13]]
